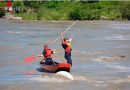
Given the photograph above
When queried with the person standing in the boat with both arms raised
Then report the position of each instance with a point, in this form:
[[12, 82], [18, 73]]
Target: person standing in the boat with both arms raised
[[66, 44]]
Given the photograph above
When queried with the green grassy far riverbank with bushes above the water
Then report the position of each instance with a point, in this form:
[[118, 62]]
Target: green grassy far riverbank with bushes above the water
[[65, 10]]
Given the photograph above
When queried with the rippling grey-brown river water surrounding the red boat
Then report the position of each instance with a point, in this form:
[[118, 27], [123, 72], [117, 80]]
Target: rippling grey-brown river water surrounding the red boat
[[100, 55]]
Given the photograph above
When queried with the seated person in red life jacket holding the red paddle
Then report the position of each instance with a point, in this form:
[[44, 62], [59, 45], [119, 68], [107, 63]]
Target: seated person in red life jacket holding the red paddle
[[47, 52]]
